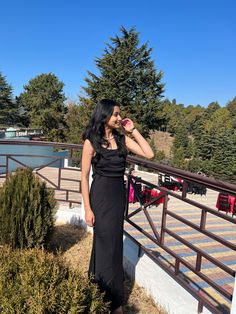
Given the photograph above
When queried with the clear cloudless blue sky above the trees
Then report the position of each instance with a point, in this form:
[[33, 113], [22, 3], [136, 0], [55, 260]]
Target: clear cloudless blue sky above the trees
[[193, 41]]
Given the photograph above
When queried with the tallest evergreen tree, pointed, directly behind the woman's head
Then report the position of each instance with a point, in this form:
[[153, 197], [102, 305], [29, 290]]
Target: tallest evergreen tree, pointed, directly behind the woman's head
[[128, 75]]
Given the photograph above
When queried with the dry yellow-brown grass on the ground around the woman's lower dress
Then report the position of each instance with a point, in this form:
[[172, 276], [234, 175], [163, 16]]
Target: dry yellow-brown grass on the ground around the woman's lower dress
[[75, 246]]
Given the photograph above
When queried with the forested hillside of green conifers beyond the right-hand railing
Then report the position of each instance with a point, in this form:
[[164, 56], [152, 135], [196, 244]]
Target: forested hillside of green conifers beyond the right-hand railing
[[204, 138]]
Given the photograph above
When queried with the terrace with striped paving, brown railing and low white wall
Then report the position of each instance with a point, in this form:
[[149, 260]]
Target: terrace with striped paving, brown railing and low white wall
[[182, 250]]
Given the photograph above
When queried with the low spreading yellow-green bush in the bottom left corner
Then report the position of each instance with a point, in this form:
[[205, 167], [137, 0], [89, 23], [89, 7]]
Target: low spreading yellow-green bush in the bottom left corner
[[33, 281]]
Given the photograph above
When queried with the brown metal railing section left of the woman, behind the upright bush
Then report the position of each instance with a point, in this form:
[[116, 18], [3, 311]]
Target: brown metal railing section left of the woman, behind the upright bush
[[46, 171]]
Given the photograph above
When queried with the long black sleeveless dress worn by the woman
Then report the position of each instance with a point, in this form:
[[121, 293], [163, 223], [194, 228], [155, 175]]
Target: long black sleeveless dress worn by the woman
[[107, 198]]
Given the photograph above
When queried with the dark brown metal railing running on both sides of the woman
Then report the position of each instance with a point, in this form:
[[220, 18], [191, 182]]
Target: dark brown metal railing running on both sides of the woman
[[157, 235]]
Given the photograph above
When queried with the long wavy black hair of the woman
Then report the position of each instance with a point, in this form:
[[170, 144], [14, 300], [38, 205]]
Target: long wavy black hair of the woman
[[95, 130]]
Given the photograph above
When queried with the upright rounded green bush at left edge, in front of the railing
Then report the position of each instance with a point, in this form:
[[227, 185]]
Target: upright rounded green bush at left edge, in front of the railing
[[27, 211]]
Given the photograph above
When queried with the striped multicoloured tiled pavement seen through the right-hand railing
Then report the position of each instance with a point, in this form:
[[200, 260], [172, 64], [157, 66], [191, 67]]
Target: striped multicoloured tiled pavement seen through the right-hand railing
[[216, 225]]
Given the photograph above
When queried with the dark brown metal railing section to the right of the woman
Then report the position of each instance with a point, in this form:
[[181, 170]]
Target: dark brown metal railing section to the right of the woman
[[158, 236]]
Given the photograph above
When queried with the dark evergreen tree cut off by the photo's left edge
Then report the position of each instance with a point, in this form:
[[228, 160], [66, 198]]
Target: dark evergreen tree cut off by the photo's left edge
[[9, 114]]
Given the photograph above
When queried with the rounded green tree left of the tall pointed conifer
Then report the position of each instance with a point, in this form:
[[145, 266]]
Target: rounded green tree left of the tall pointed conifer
[[43, 102]]
